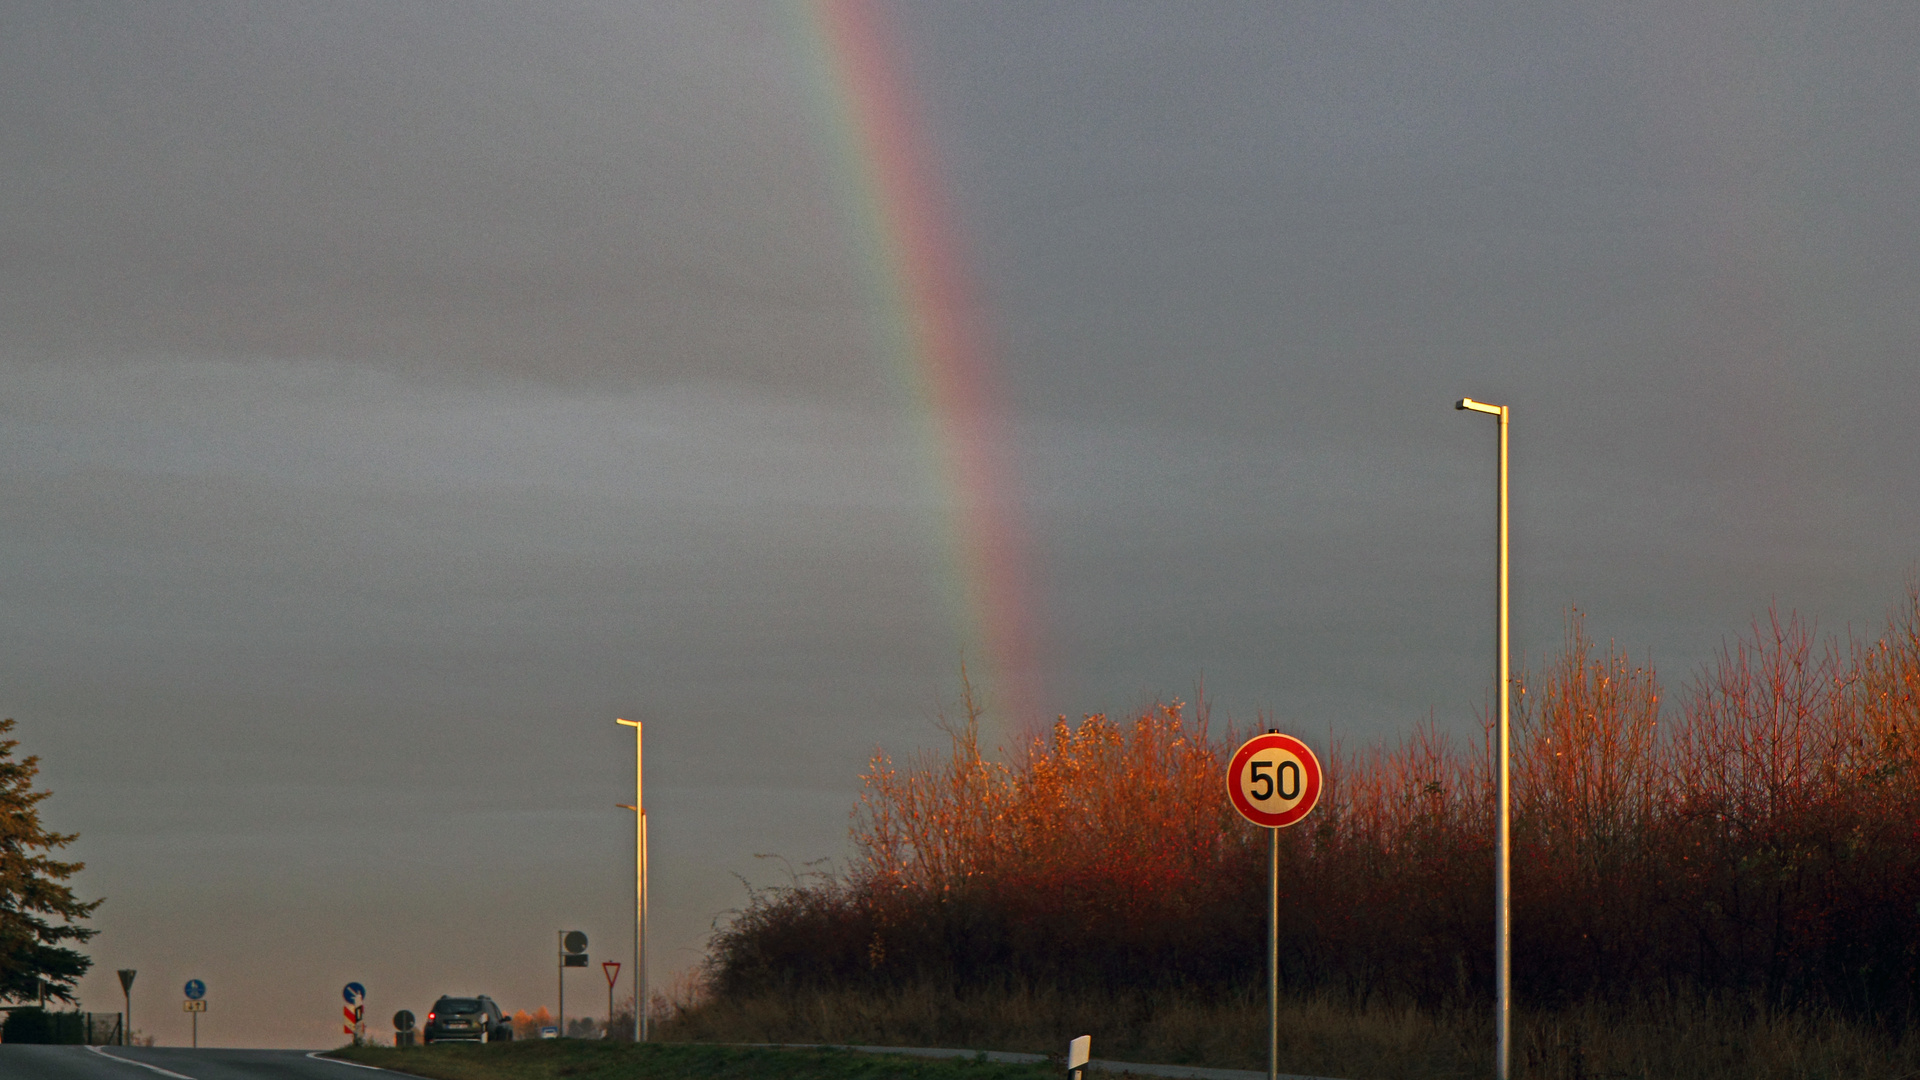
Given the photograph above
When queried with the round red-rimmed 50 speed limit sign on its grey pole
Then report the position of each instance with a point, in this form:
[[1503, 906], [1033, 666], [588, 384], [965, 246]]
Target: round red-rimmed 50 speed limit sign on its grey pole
[[1274, 781]]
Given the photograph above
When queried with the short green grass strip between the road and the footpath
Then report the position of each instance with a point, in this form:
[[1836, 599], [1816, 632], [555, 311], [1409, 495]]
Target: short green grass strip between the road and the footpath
[[592, 1060]]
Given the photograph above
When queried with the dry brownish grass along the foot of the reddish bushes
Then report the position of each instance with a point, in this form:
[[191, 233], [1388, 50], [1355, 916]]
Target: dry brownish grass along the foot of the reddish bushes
[[1320, 1037]]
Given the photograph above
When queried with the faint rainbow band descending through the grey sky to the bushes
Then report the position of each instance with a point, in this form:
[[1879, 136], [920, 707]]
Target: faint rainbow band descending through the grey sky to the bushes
[[930, 330]]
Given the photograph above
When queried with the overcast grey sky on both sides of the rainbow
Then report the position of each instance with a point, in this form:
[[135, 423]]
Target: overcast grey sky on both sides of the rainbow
[[395, 395]]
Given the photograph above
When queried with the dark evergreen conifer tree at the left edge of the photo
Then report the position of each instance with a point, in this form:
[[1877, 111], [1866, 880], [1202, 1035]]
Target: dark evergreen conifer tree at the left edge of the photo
[[32, 893]]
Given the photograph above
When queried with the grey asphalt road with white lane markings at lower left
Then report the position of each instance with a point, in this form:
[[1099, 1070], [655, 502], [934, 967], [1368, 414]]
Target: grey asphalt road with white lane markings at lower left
[[155, 1064]]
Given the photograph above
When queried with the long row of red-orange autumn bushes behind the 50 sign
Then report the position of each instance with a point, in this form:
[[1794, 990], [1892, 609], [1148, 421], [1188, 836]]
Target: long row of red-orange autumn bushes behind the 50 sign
[[1765, 843]]
